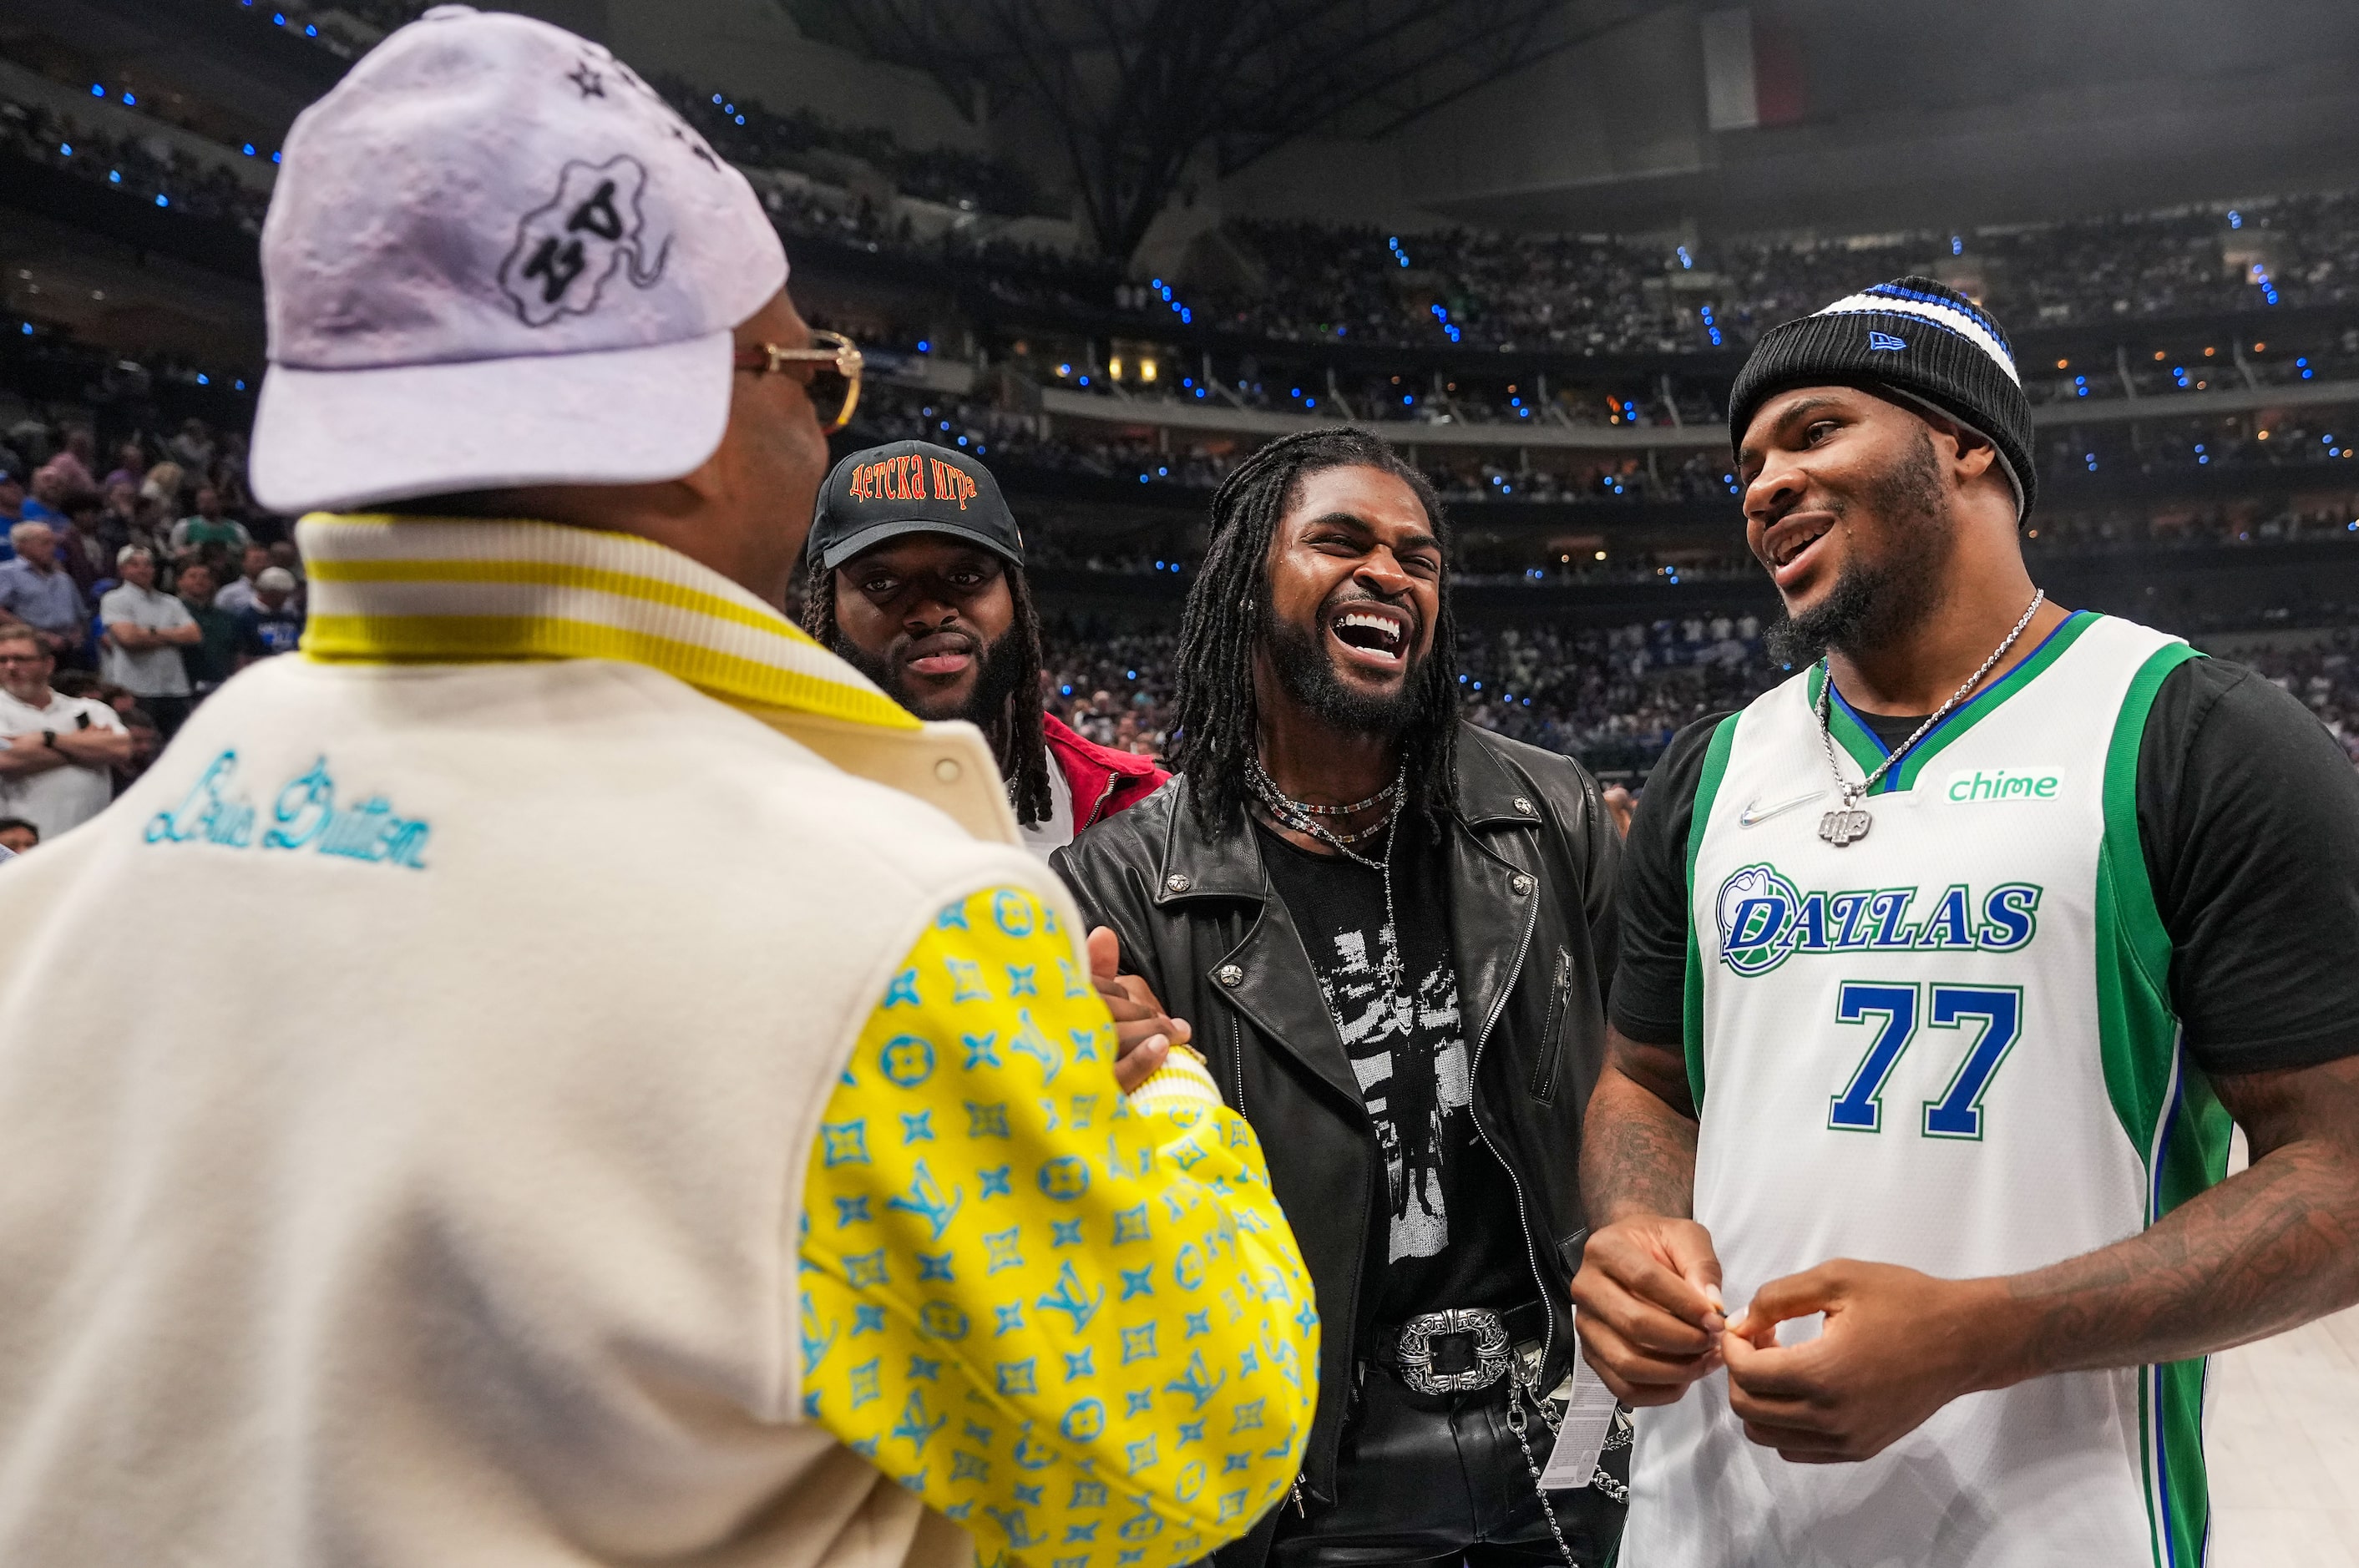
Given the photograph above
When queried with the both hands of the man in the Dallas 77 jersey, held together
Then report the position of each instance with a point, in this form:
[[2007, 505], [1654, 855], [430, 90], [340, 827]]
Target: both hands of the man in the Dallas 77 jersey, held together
[[1898, 1345]]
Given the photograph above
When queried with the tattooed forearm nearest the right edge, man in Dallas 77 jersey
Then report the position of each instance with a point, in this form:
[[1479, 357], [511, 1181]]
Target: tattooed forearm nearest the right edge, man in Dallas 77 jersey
[[2266, 1251]]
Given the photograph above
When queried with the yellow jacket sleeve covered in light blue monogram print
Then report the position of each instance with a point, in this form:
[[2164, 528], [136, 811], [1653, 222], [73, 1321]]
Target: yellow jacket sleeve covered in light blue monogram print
[[1072, 1322]]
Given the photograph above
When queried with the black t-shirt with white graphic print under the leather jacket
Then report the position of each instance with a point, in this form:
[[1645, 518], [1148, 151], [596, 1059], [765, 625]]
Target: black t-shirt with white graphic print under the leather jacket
[[1447, 1230]]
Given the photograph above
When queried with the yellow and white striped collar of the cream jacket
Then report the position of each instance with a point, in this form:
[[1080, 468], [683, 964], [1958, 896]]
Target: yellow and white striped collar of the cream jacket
[[461, 591]]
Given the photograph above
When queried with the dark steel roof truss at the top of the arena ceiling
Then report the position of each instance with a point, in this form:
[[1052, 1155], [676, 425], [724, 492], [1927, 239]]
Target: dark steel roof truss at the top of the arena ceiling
[[1138, 88]]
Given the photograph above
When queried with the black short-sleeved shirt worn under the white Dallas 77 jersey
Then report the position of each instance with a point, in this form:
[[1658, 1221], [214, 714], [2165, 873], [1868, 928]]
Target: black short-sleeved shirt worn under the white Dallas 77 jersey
[[2249, 819]]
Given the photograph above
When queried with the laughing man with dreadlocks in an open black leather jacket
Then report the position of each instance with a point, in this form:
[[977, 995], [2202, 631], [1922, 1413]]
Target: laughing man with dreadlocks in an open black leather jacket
[[1388, 930]]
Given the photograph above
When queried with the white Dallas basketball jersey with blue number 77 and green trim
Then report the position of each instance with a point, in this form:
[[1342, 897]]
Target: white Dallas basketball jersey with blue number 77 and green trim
[[1945, 1046]]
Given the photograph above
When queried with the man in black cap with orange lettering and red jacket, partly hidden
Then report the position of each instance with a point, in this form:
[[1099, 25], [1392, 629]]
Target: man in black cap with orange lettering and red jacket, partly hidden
[[916, 577]]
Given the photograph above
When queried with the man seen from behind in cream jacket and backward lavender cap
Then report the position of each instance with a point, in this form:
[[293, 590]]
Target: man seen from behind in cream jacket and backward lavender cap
[[643, 1138]]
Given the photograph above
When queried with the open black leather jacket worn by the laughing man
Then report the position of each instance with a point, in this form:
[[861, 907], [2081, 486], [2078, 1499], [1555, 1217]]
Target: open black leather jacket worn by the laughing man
[[1532, 859]]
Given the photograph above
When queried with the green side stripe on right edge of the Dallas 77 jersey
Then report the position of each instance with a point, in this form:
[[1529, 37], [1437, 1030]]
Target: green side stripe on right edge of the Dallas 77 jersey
[[2164, 1105]]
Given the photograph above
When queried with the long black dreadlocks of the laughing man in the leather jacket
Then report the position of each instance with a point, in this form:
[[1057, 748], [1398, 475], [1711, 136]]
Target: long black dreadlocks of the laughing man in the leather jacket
[[1223, 626]]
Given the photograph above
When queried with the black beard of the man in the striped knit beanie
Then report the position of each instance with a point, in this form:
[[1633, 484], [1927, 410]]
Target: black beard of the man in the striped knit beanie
[[1874, 605]]
